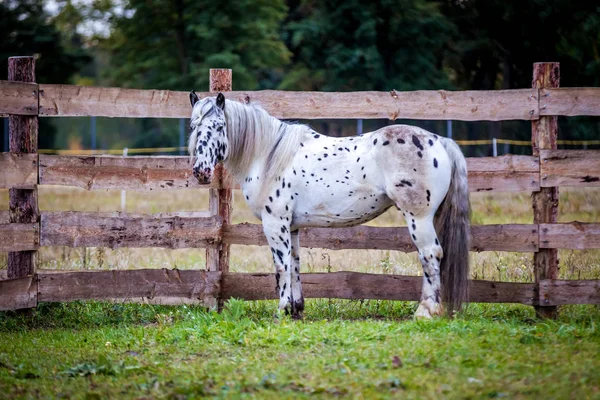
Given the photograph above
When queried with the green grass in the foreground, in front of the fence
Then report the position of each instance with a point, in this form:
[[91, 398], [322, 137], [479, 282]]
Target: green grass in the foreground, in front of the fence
[[371, 349]]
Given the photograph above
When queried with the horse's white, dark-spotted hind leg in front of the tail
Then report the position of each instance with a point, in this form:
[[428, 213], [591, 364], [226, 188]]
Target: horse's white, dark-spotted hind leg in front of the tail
[[425, 238]]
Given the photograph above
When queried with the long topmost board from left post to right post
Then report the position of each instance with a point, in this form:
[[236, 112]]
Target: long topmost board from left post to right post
[[64, 100]]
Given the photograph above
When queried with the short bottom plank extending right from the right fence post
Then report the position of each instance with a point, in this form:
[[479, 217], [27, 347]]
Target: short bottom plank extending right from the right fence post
[[556, 293]]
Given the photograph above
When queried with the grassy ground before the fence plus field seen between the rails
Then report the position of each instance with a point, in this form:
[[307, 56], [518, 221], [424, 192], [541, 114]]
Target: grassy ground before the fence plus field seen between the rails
[[361, 349]]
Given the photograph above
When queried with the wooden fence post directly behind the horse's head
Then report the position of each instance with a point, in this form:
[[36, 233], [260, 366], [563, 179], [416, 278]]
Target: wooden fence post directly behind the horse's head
[[219, 200]]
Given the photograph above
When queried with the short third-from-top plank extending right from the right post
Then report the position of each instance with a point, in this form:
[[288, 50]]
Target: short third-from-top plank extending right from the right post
[[574, 235]]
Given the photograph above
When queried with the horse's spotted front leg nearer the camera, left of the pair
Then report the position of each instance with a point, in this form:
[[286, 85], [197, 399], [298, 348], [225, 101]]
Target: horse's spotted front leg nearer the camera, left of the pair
[[278, 235]]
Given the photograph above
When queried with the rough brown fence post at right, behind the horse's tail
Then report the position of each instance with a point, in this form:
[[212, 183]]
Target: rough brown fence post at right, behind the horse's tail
[[544, 133]]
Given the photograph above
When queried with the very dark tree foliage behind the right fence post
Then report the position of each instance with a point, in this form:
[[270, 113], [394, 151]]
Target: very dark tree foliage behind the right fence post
[[497, 43]]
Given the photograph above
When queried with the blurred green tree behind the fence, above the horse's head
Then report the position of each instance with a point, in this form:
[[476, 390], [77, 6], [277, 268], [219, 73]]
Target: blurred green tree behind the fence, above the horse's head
[[172, 44]]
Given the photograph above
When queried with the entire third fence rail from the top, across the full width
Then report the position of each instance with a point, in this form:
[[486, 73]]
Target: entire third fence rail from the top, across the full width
[[198, 230]]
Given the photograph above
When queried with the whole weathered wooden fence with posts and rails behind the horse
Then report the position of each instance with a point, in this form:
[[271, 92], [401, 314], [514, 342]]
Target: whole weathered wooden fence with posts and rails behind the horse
[[24, 229]]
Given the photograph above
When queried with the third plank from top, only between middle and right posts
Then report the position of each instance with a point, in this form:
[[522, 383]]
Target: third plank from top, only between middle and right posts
[[510, 237]]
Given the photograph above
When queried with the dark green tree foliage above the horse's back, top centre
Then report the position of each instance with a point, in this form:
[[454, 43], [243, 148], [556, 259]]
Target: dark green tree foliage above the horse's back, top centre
[[365, 45]]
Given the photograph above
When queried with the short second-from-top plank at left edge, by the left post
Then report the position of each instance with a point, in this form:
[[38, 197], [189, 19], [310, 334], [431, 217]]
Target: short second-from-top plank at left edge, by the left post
[[18, 170]]
